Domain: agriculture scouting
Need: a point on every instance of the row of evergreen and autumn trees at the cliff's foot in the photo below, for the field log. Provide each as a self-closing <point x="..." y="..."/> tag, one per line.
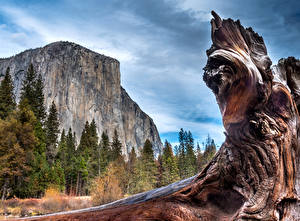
<point x="35" y="155"/>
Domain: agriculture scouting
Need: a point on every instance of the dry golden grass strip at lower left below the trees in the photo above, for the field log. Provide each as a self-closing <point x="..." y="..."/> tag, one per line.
<point x="52" y="202"/>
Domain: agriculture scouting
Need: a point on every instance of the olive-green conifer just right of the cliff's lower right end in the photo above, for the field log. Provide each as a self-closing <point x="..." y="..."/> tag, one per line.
<point x="170" y="169"/>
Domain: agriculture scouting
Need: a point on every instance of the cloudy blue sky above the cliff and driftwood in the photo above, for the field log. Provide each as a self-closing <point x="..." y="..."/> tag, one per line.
<point x="161" y="46"/>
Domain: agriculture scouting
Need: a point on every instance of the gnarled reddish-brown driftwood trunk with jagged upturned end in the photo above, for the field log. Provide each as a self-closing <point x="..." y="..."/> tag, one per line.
<point x="255" y="174"/>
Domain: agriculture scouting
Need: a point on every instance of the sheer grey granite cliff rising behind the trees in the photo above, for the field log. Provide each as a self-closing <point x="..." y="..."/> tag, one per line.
<point x="85" y="85"/>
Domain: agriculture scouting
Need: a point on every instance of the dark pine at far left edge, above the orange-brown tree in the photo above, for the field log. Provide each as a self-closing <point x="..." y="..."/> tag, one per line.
<point x="7" y="97"/>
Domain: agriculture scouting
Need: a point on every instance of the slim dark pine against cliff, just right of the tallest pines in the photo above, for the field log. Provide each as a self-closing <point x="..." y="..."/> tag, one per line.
<point x="52" y="131"/>
